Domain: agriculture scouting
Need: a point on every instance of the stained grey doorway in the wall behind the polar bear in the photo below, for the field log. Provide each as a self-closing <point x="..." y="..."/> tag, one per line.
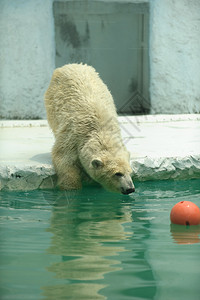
<point x="113" y="37"/>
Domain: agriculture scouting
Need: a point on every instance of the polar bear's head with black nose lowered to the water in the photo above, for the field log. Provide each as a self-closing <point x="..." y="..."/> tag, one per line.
<point x="113" y="173"/>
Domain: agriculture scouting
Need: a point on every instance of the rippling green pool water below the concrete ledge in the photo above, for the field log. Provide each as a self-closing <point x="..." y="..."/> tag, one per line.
<point x="93" y="244"/>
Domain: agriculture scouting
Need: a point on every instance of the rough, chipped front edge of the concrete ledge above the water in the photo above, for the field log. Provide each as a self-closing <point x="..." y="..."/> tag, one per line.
<point x="33" y="177"/>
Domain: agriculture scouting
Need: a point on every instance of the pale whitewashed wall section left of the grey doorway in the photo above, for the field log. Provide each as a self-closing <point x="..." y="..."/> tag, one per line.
<point x="26" y="56"/>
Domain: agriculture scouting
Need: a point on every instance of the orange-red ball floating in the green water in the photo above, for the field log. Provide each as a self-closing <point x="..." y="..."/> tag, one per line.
<point x="185" y="213"/>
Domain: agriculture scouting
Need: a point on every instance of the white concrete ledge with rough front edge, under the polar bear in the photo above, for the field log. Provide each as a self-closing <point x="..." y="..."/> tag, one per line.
<point x="161" y="147"/>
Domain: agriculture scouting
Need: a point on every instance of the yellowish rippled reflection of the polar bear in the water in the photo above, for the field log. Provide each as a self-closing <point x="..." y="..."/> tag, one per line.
<point x="84" y="235"/>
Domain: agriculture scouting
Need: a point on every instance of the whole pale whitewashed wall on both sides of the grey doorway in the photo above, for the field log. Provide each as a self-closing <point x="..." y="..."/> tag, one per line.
<point x="27" y="56"/>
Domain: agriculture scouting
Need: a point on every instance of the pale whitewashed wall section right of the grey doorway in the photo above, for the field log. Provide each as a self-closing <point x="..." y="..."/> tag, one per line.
<point x="175" y="56"/>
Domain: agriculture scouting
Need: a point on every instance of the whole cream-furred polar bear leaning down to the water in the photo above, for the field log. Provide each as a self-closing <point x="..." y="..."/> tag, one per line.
<point x="88" y="142"/>
